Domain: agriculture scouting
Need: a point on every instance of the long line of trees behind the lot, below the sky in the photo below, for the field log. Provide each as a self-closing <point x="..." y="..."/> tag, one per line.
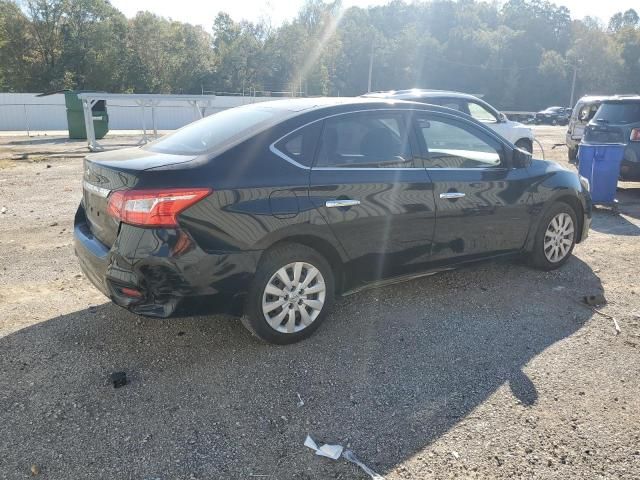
<point x="519" y="55"/>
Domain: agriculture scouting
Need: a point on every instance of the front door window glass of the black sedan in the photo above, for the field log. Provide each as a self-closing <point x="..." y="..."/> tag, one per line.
<point x="451" y="146"/>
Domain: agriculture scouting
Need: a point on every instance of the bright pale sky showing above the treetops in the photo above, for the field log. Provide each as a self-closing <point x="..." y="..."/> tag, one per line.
<point x="201" y="12"/>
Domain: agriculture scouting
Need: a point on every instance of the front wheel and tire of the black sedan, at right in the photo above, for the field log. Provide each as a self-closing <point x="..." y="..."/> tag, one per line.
<point x="555" y="237"/>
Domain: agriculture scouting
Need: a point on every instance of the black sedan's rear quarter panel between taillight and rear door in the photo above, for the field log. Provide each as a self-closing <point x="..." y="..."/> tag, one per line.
<point x="258" y="200"/>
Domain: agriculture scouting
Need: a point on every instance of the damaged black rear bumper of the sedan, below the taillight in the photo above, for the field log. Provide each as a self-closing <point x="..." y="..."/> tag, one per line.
<point x="152" y="272"/>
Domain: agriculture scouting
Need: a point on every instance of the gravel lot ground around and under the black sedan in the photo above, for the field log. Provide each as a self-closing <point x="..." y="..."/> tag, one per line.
<point x="492" y="371"/>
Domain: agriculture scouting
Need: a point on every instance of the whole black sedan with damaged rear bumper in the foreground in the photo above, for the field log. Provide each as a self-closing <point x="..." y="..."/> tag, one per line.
<point x="275" y="208"/>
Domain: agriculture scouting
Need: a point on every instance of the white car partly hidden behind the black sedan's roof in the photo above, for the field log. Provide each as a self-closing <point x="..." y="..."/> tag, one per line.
<point x="517" y="133"/>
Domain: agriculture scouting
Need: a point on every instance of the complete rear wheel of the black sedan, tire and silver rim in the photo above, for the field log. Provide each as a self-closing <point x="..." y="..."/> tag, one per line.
<point x="291" y="293"/>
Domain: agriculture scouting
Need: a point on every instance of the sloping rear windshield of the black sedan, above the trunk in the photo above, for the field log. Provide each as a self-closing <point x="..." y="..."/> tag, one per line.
<point x="216" y="131"/>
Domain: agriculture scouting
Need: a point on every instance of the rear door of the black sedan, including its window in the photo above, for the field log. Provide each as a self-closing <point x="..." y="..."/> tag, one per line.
<point x="367" y="186"/>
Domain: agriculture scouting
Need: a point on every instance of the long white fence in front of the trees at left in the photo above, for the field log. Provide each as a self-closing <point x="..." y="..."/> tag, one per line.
<point x="28" y="113"/>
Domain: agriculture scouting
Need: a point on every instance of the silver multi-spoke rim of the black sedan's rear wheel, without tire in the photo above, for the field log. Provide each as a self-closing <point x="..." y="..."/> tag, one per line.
<point x="293" y="297"/>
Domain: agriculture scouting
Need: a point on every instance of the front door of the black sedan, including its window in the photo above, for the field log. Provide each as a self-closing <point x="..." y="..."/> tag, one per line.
<point x="482" y="204"/>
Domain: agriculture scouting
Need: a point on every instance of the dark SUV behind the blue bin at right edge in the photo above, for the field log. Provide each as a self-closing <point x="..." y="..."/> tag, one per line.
<point x="618" y="121"/>
